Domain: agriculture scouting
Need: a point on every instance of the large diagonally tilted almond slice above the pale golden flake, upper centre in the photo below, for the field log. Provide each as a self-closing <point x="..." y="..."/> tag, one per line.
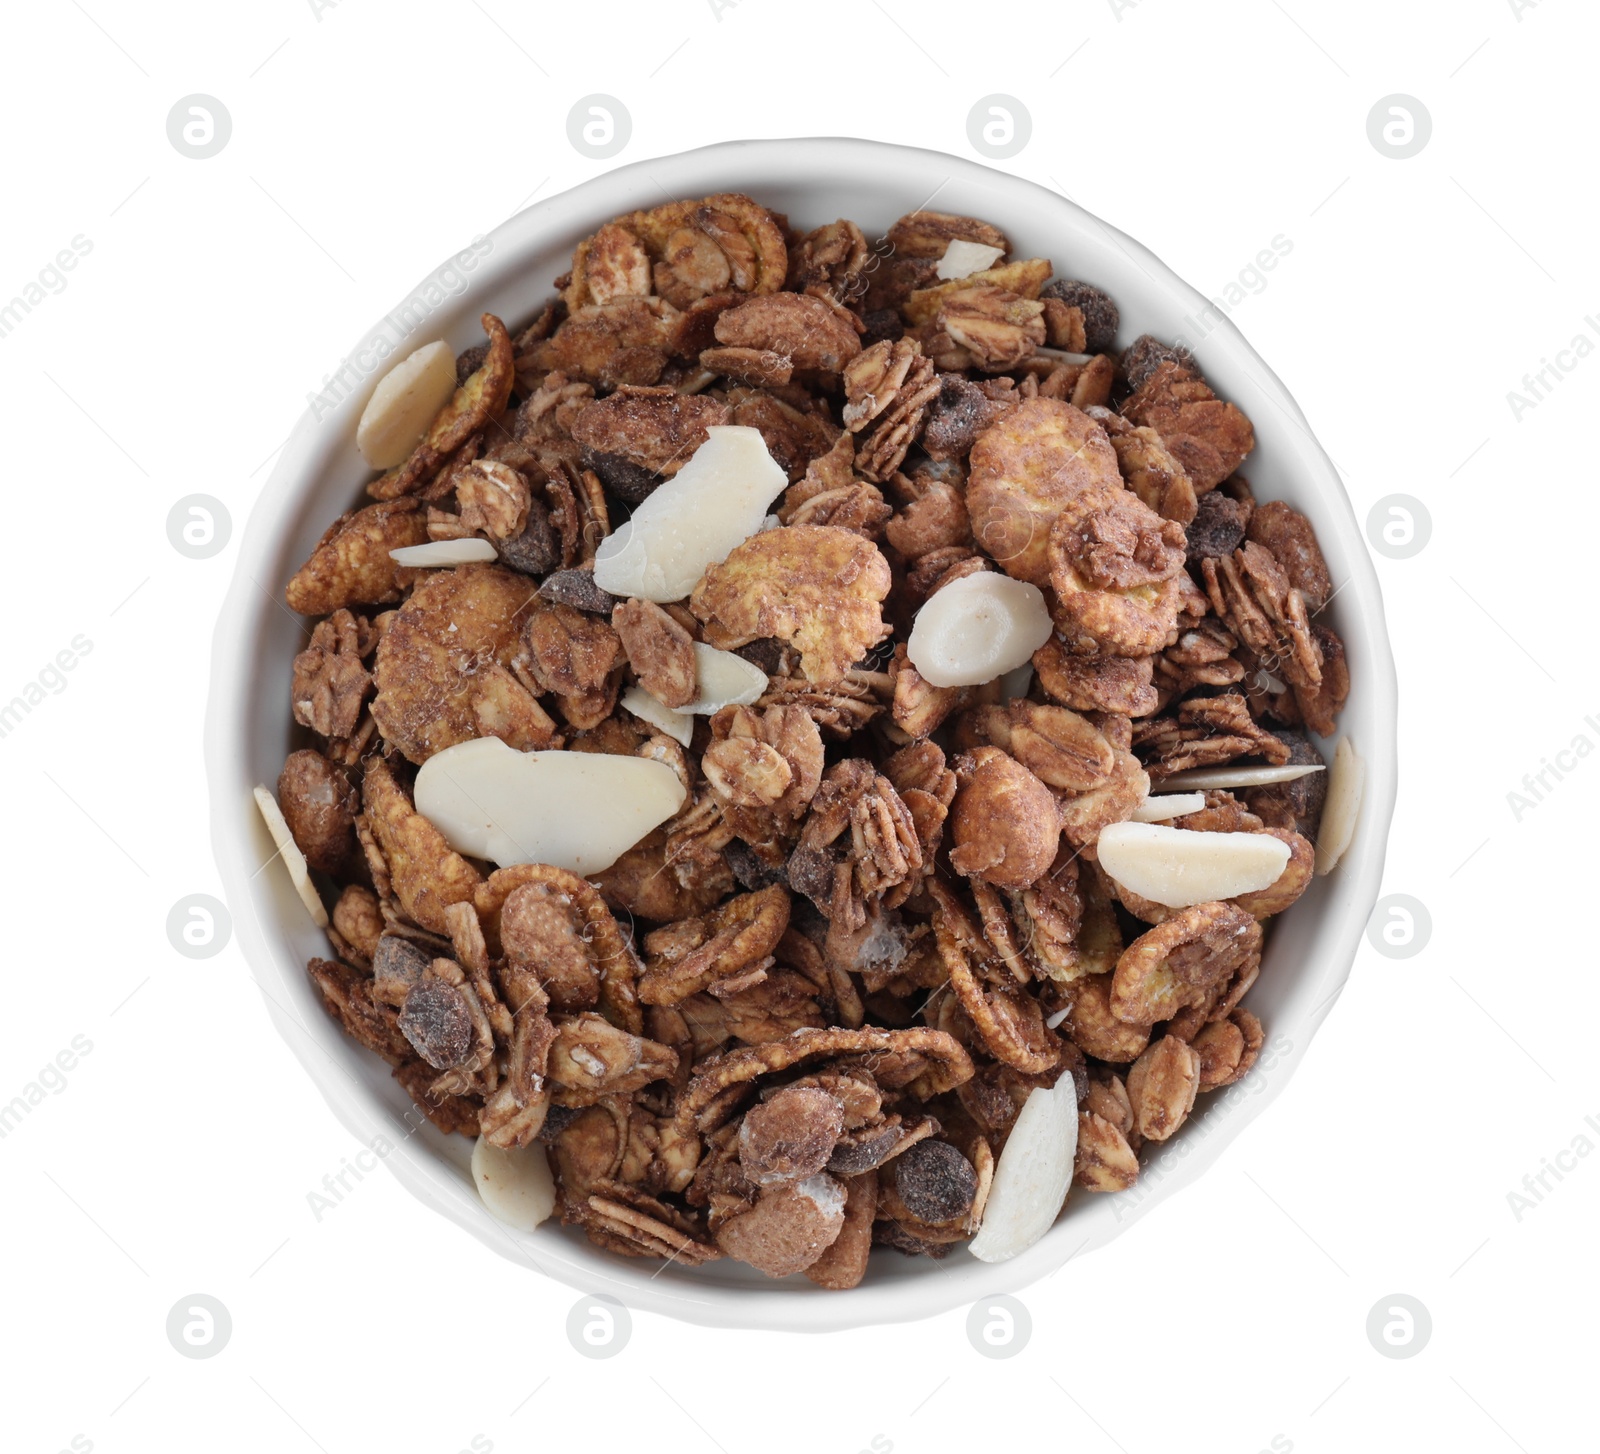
<point x="718" y="501"/>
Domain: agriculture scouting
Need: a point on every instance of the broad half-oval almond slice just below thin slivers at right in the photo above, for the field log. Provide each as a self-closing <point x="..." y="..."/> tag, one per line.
<point x="1178" y="868"/>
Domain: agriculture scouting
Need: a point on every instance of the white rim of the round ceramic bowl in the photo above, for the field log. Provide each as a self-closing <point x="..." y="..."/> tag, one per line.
<point x="414" y="1160"/>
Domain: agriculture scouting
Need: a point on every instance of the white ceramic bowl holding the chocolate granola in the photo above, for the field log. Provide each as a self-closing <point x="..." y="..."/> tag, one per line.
<point x="321" y="474"/>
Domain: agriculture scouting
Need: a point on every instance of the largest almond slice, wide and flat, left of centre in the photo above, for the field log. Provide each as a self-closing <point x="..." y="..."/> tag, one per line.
<point x="574" y="810"/>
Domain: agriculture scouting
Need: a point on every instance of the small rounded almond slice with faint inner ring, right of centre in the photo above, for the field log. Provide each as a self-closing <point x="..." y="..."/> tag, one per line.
<point x="977" y="629"/>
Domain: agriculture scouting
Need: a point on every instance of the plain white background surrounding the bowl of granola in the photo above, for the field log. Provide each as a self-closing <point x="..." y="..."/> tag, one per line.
<point x="374" y="140"/>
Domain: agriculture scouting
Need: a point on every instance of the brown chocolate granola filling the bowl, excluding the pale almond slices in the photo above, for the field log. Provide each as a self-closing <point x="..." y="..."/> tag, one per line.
<point x="802" y="1018"/>
